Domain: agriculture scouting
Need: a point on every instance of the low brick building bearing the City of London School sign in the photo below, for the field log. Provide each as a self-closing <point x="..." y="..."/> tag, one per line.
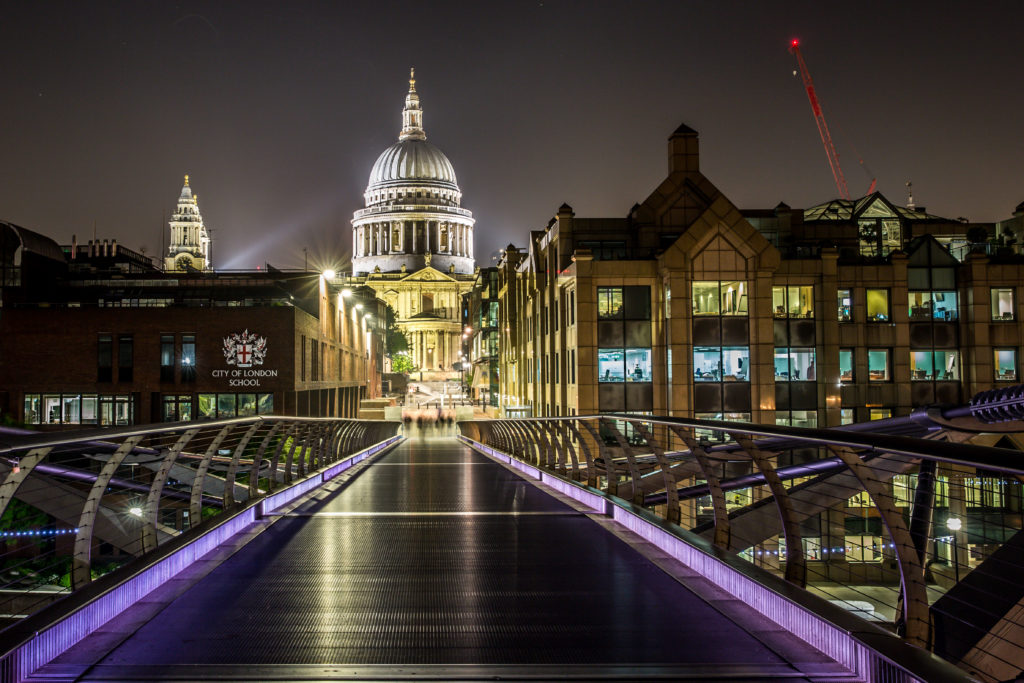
<point x="95" y="335"/>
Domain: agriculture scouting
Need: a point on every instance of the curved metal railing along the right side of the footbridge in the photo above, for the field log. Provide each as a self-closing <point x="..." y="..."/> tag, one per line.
<point x="920" y="535"/>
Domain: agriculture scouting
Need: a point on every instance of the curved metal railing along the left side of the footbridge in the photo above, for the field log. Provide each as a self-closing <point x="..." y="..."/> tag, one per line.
<point x="77" y="505"/>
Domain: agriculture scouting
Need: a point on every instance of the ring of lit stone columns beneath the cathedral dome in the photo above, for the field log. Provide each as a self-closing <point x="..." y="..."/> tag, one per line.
<point x="435" y="237"/>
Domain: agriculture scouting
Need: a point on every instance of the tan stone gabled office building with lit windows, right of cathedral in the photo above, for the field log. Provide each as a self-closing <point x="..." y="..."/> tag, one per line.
<point x="688" y="306"/>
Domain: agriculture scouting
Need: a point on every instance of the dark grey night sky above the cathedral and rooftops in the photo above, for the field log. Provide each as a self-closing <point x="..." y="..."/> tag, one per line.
<point x="278" y="111"/>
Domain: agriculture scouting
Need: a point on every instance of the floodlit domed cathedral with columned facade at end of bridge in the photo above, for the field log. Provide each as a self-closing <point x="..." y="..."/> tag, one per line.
<point x="413" y="243"/>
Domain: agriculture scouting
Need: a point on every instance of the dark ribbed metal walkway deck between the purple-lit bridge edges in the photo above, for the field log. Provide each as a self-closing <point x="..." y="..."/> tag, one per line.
<point x="438" y="564"/>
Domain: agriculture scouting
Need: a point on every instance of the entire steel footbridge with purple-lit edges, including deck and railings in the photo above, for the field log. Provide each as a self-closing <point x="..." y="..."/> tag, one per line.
<point x="613" y="547"/>
